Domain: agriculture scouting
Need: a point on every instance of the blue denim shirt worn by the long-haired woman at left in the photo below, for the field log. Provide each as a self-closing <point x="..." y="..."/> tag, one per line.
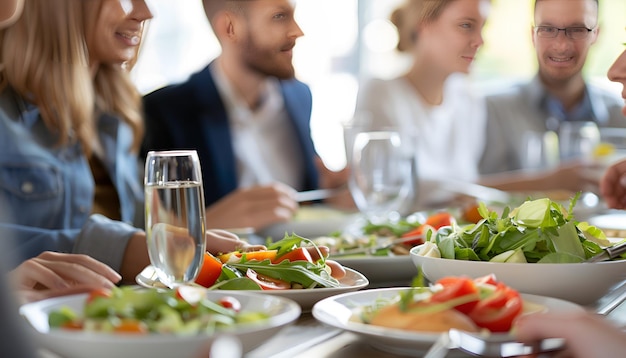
<point x="47" y="190"/>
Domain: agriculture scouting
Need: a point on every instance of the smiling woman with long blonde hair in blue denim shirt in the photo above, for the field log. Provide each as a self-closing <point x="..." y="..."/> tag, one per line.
<point x="68" y="110"/>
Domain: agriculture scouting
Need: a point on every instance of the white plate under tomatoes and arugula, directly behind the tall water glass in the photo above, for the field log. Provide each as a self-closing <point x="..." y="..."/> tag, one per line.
<point x="352" y="281"/>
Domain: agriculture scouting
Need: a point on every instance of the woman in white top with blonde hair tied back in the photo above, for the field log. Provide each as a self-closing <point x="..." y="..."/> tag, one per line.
<point x="433" y="101"/>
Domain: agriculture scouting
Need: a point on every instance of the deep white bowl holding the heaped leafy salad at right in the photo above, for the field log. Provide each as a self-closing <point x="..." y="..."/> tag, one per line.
<point x="582" y="283"/>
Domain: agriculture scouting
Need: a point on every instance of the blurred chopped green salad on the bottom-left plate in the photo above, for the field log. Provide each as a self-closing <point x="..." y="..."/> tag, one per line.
<point x="183" y="311"/>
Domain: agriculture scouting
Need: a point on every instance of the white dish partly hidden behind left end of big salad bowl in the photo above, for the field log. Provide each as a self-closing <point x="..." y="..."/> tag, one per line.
<point x="382" y="269"/>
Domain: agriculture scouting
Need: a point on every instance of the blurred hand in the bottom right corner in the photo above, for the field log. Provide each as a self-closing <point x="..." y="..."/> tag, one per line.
<point x="587" y="335"/>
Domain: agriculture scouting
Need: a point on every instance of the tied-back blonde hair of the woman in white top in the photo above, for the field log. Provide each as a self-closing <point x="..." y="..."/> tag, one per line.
<point x="413" y="13"/>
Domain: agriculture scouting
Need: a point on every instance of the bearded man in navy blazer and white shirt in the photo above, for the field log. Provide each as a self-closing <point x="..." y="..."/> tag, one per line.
<point x="247" y="116"/>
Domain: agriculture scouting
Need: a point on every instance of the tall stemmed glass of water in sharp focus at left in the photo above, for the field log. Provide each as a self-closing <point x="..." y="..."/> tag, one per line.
<point x="175" y="226"/>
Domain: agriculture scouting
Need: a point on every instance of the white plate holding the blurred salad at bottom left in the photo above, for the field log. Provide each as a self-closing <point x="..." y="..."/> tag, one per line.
<point x="78" y="344"/>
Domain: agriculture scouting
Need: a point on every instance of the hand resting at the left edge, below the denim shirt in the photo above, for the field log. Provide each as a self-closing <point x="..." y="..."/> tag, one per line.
<point x="53" y="274"/>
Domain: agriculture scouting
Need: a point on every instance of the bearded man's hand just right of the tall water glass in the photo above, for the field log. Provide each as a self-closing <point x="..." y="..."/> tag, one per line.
<point x="255" y="207"/>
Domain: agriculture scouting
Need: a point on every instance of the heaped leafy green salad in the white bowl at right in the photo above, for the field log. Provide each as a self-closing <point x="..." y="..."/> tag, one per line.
<point x="539" y="230"/>
